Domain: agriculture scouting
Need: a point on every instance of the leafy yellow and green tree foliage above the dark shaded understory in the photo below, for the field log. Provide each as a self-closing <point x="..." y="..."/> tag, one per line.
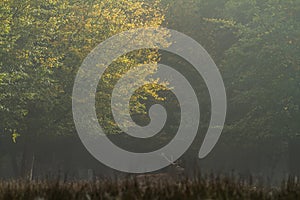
<point x="255" y="44"/>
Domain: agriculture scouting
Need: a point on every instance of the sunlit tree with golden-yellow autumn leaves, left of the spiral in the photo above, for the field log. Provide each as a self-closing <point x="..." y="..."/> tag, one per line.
<point x="42" y="45"/>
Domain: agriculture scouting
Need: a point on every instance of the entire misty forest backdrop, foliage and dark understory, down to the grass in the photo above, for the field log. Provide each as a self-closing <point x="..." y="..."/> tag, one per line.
<point x="255" y="44"/>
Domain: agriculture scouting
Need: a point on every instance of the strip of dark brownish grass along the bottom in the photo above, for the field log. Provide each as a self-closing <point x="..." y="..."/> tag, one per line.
<point x="147" y="188"/>
